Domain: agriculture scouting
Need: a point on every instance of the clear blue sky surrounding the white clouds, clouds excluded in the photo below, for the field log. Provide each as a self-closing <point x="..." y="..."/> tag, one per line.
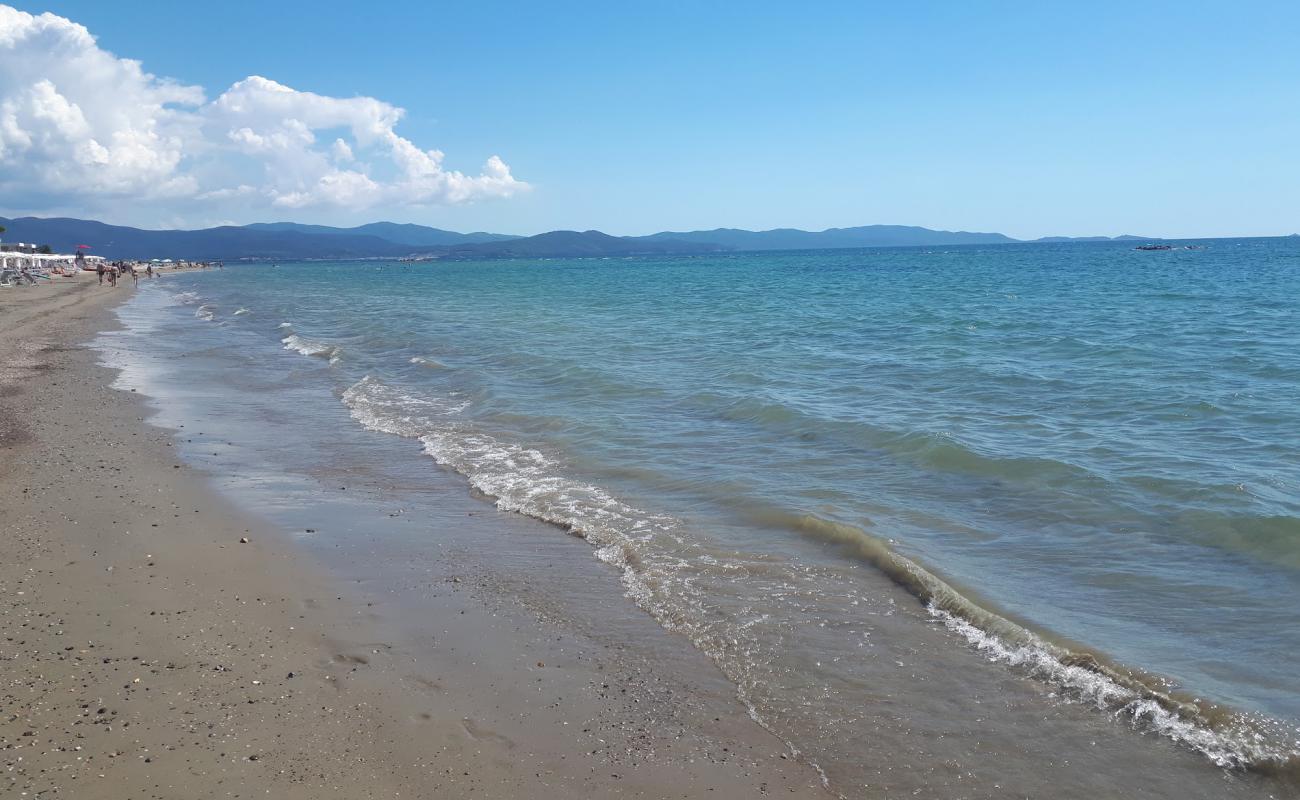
<point x="1033" y="119"/>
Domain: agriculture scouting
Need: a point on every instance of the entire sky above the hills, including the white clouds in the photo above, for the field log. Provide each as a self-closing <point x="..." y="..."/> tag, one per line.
<point x="1028" y="119"/>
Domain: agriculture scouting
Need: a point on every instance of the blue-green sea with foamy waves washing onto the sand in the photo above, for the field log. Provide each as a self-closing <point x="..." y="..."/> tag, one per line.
<point x="939" y="514"/>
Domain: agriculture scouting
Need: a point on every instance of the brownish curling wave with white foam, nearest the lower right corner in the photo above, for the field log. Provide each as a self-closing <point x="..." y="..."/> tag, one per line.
<point x="1228" y="738"/>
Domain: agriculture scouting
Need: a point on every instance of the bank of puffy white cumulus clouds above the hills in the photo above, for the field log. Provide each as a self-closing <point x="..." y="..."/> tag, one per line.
<point x="80" y="123"/>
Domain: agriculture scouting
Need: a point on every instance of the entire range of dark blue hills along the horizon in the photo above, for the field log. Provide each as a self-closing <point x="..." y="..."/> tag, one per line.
<point x="291" y="241"/>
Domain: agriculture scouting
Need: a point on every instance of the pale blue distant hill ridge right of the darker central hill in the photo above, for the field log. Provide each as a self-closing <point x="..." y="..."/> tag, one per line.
<point x="866" y="236"/>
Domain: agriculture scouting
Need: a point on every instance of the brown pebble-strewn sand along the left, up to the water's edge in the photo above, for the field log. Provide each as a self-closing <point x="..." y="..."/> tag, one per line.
<point x="148" y="652"/>
